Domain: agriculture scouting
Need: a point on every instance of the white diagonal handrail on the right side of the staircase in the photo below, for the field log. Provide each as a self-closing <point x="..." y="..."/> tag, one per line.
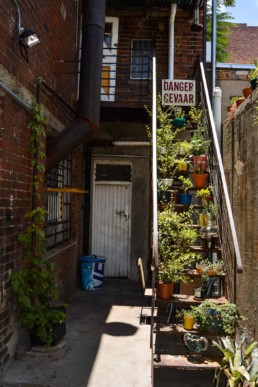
<point x="239" y="265"/>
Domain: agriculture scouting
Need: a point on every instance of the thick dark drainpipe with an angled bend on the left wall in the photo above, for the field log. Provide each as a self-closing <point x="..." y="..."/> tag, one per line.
<point x="87" y="121"/>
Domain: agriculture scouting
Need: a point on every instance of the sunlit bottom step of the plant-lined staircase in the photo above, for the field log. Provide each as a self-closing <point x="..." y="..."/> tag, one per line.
<point x="181" y="362"/>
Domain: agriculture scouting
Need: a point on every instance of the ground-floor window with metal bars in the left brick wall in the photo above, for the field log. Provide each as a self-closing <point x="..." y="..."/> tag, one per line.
<point x="58" y="203"/>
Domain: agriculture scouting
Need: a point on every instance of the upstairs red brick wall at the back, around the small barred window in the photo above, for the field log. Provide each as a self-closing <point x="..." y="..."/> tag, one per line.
<point x="188" y="44"/>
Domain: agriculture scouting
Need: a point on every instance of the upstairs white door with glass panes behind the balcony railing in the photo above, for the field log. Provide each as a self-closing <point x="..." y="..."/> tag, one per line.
<point x="108" y="84"/>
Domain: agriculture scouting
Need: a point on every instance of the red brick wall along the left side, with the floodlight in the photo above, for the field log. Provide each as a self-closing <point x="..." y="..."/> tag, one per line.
<point x="58" y="42"/>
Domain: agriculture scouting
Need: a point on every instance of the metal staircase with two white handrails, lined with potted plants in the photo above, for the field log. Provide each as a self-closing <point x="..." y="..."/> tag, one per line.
<point x="169" y="351"/>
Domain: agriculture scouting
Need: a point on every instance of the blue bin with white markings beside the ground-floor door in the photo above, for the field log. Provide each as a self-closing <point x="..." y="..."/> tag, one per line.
<point x="92" y="272"/>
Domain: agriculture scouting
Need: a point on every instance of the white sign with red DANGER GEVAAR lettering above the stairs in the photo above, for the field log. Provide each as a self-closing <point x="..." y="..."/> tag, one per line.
<point x="178" y="92"/>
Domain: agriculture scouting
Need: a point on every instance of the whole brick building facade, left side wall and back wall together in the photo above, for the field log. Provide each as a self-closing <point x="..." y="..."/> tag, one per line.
<point x="55" y="60"/>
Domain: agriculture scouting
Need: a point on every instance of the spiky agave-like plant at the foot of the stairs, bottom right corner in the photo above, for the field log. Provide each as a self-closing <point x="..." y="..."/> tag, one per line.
<point x="239" y="363"/>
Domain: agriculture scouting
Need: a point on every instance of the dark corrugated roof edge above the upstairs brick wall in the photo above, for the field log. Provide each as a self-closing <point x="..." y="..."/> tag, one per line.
<point x="152" y="3"/>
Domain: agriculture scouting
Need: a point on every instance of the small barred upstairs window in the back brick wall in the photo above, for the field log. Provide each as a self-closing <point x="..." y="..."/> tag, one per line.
<point x="141" y="59"/>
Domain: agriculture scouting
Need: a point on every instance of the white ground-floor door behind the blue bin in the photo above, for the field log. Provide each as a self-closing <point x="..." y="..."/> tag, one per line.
<point x="111" y="225"/>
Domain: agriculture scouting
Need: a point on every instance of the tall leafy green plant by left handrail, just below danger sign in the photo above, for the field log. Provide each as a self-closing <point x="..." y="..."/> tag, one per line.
<point x="167" y="148"/>
